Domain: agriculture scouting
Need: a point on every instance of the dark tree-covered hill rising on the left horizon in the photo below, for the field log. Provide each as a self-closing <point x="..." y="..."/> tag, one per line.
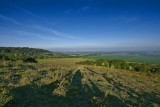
<point x="20" y="53"/>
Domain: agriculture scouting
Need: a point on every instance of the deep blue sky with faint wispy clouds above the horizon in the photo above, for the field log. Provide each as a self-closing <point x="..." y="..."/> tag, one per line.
<point x="80" y="24"/>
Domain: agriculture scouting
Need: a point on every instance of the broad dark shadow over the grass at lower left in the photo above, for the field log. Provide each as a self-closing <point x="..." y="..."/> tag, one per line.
<point x="32" y="95"/>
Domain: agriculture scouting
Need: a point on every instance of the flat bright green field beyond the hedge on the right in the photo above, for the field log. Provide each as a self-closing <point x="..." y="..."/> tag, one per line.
<point x="141" y="58"/>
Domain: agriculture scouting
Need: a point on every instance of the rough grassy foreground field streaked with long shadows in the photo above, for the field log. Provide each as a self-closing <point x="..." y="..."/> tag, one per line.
<point x="62" y="83"/>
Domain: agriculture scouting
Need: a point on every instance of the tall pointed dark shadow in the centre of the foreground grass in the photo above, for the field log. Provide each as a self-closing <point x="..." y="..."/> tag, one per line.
<point x="77" y="93"/>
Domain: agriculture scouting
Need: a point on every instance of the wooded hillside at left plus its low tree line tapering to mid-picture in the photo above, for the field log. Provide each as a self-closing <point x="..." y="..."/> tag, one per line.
<point x="22" y="53"/>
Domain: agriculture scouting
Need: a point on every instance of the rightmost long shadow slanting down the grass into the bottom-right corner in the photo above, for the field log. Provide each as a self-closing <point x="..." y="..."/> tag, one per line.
<point x="144" y="99"/>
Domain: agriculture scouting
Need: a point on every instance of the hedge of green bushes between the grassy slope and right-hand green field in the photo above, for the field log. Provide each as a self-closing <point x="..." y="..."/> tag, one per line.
<point x="121" y="64"/>
